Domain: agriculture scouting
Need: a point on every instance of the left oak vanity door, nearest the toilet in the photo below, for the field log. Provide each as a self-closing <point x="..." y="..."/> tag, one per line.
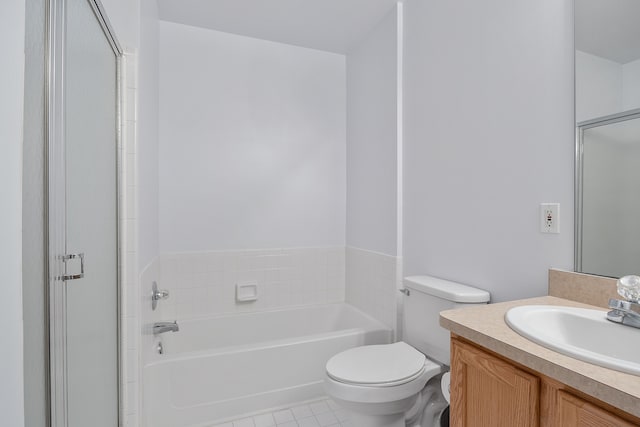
<point x="489" y="392"/>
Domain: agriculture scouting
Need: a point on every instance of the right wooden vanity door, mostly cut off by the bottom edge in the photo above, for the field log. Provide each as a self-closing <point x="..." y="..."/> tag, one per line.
<point x="575" y="412"/>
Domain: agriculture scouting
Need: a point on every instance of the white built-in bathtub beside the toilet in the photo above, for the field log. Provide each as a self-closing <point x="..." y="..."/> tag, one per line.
<point x="217" y="368"/>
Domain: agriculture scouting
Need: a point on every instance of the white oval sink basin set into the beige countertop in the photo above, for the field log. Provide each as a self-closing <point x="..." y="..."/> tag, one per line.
<point x="580" y="333"/>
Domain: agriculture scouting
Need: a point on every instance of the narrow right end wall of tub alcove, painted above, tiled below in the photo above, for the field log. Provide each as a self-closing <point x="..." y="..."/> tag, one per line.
<point x="372" y="172"/>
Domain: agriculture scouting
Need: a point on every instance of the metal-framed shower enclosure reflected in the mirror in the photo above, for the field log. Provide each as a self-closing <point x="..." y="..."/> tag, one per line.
<point x="607" y="196"/>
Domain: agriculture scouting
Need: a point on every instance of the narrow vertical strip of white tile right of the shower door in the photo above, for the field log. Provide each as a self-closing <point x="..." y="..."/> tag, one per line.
<point x="129" y="314"/>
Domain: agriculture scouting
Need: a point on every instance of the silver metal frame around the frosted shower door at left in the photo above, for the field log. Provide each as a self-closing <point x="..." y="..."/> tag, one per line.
<point x="55" y="209"/>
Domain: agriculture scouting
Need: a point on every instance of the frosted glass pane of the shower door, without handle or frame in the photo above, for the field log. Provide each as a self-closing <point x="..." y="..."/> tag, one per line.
<point x="91" y="223"/>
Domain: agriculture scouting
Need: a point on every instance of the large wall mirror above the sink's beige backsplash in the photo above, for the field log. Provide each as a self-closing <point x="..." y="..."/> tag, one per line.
<point x="607" y="41"/>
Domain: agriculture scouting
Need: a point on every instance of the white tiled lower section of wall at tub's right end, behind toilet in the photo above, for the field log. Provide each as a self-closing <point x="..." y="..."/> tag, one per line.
<point x="372" y="281"/>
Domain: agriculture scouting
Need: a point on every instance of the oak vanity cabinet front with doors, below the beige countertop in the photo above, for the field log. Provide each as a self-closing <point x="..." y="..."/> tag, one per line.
<point x="490" y="391"/>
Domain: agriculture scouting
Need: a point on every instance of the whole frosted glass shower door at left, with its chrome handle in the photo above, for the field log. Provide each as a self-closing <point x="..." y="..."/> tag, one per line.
<point x="85" y="368"/>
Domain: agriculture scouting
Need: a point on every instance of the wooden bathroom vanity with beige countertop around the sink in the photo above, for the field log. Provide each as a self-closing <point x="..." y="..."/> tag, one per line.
<point x="499" y="378"/>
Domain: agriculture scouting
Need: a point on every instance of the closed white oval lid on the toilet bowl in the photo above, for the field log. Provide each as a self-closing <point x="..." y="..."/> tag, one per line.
<point x="389" y="364"/>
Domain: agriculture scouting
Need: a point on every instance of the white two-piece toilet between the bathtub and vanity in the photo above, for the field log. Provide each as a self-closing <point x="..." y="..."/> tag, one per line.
<point x="404" y="383"/>
